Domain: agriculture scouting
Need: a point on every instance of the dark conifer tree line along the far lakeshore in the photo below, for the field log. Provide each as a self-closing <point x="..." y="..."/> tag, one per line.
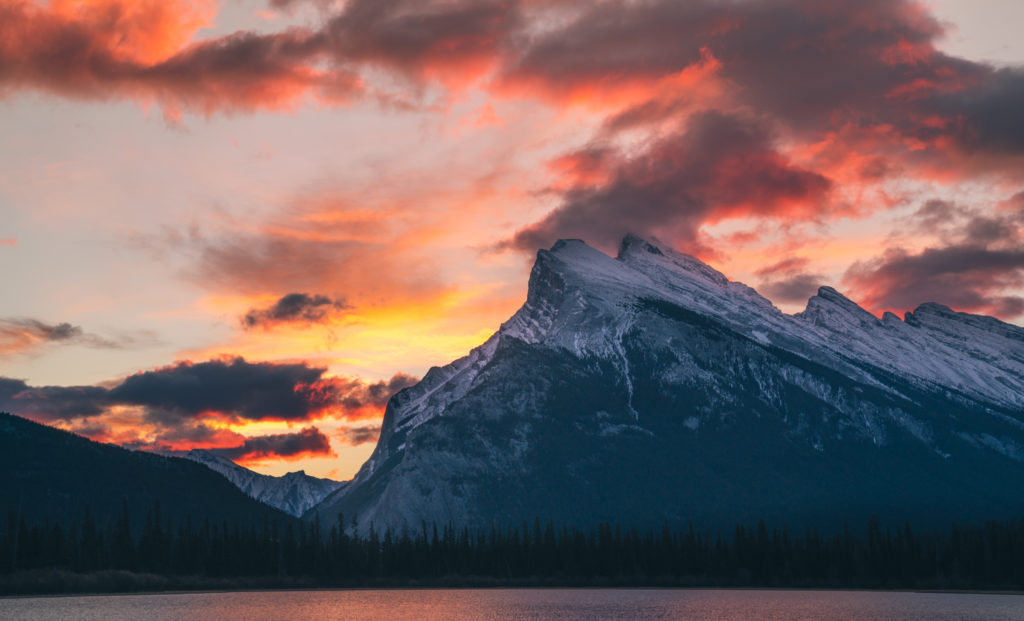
<point x="988" y="557"/>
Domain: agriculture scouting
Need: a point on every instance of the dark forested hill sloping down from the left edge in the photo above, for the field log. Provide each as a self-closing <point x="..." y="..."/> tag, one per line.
<point x="52" y="476"/>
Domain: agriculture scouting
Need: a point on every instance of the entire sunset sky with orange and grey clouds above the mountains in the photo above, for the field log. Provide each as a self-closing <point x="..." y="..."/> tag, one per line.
<point x="244" y="225"/>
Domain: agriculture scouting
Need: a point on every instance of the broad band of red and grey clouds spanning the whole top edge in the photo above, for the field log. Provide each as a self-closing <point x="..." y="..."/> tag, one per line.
<point x="642" y="63"/>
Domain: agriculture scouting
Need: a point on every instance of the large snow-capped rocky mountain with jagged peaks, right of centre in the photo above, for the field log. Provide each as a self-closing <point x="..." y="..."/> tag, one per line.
<point x="649" y="388"/>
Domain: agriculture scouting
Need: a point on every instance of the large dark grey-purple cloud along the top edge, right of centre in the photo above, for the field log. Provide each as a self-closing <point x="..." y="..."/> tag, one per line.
<point x="792" y="58"/>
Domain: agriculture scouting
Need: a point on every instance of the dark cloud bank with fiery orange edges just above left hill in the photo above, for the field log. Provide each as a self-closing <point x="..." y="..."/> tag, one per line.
<point x="198" y="405"/>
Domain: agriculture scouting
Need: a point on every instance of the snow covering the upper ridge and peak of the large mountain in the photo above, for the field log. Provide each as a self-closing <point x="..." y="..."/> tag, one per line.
<point x="979" y="356"/>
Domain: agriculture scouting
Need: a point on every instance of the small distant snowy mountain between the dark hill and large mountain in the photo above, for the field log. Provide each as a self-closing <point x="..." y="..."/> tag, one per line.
<point x="294" y="493"/>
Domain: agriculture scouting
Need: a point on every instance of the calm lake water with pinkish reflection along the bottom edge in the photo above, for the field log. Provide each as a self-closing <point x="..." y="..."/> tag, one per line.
<point x="502" y="605"/>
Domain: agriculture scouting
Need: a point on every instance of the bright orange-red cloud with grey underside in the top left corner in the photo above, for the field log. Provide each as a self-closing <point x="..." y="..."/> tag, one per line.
<point x="112" y="49"/>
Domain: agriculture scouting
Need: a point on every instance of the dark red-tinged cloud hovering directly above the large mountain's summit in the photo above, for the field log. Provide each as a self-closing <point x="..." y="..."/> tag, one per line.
<point x="717" y="167"/>
